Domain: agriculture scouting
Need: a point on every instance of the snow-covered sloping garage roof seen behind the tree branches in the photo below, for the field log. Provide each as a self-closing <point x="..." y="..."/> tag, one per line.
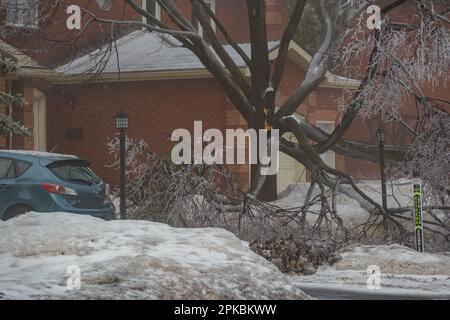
<point x="144" y="55"/>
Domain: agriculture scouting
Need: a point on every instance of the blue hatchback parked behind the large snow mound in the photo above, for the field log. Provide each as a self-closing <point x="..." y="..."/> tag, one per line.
<point x="49" y="182"/>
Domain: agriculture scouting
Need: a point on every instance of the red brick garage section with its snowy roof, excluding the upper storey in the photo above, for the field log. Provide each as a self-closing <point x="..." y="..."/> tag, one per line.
<point x="167" y="90"/>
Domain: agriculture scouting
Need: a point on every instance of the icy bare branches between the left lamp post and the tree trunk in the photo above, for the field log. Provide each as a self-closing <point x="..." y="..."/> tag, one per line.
<point x="180" y="195"/>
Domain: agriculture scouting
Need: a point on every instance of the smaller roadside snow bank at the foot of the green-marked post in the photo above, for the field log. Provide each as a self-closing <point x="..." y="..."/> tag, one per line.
<point x="402" y="271"/>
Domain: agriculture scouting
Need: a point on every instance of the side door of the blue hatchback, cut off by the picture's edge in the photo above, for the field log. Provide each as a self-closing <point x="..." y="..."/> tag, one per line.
<point x="7" y="182"/>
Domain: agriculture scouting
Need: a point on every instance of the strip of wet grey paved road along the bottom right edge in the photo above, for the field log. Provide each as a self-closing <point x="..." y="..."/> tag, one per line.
<point x="329" y="294"/>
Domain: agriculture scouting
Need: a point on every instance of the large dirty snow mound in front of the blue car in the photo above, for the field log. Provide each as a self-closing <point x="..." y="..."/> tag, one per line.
<point x="130" y="260"/>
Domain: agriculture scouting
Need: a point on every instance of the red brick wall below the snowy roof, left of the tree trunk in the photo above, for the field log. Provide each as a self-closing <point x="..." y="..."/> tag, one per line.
<point x="155" y="108"/>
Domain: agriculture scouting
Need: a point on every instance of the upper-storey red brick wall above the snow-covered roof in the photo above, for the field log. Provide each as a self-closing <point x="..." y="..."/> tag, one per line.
<point x="232" y="13"/>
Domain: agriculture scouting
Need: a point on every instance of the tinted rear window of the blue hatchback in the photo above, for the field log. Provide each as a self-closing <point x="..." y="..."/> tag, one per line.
<point x="76" y="171"/>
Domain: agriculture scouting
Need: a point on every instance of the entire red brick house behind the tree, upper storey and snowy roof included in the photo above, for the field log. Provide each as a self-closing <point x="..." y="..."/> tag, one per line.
<point x="162" y="87"/>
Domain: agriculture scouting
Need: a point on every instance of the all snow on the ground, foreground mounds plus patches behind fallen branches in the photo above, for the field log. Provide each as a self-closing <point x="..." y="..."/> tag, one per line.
<point x="145" y="260"/>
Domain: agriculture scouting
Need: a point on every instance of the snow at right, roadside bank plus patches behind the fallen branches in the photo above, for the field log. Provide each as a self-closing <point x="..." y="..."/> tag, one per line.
<point x="403" y="270"/>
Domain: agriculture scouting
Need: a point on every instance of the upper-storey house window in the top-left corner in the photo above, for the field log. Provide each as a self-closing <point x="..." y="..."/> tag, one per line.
<point x="23" y="13"/>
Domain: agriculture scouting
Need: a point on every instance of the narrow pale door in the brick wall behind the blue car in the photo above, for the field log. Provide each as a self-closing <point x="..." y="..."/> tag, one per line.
<point x="39" y="129"/>
